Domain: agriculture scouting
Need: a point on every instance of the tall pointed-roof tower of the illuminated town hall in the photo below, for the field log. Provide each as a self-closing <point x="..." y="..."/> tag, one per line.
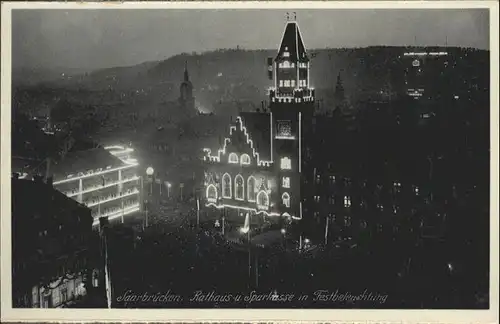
<point x="292" y="107"/>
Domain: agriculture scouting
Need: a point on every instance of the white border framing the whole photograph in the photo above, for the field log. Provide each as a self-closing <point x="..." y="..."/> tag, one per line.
<point x="191" y="315"/>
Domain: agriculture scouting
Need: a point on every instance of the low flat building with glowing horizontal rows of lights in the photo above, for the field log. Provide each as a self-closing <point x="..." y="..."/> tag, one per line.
<point x="103" y="179"/>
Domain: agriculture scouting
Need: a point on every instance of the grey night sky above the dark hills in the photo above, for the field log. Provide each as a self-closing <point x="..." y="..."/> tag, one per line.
<point x="91" y="39"/>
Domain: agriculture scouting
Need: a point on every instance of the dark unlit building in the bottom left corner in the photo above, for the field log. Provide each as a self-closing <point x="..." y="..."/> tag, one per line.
<point x="54" y="250"/>
